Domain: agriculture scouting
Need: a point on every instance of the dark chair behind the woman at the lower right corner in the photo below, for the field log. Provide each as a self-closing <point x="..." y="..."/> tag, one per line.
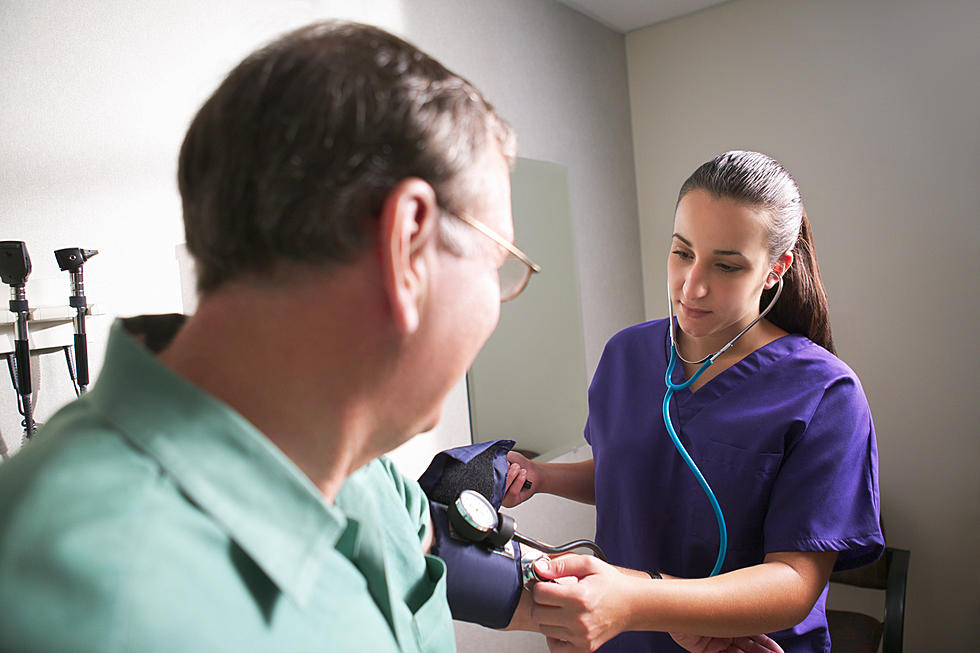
<point x="855" y="632"/>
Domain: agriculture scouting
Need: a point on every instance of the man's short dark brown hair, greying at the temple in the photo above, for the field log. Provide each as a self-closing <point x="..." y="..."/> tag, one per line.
<point x="292" y="156"/>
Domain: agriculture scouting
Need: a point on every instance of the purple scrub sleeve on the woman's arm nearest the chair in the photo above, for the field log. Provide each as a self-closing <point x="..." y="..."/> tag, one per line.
<point x="826" y="494"/>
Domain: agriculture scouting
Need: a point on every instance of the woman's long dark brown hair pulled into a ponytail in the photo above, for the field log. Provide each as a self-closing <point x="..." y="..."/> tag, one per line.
<point x="761" y="182"/>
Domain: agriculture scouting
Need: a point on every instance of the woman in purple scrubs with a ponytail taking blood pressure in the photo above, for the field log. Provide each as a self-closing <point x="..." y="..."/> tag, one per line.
<point x="778" y="425"/>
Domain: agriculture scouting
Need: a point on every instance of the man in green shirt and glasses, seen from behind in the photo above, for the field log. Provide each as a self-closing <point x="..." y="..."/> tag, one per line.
<point x="220" y="488"/>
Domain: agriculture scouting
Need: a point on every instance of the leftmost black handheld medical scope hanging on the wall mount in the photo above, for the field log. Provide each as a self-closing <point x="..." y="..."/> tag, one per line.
<point x="15" y="267"/>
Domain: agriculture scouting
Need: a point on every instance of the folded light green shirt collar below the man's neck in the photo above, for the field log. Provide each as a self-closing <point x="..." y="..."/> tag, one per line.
<point x="221" y="462"/>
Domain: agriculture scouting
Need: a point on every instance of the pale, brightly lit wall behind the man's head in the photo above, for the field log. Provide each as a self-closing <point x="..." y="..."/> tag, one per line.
<point x="97" y="95"/>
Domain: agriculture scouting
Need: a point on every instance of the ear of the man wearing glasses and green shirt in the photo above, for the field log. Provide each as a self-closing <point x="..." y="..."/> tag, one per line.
<point x="408" y="229"/>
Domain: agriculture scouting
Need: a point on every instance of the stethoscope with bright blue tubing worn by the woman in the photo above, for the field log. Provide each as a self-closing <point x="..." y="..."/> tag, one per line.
<point x="672" y="387"/>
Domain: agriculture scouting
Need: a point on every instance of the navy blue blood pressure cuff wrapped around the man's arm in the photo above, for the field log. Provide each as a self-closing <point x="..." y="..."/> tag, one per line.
<point x="483" y="586"/>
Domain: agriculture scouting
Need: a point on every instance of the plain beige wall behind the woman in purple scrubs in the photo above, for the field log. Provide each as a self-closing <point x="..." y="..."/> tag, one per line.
<point x="875" y="107"/>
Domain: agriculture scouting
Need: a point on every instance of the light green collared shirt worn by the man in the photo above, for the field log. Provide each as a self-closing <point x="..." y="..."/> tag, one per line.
<point x="149" y="516"/>
